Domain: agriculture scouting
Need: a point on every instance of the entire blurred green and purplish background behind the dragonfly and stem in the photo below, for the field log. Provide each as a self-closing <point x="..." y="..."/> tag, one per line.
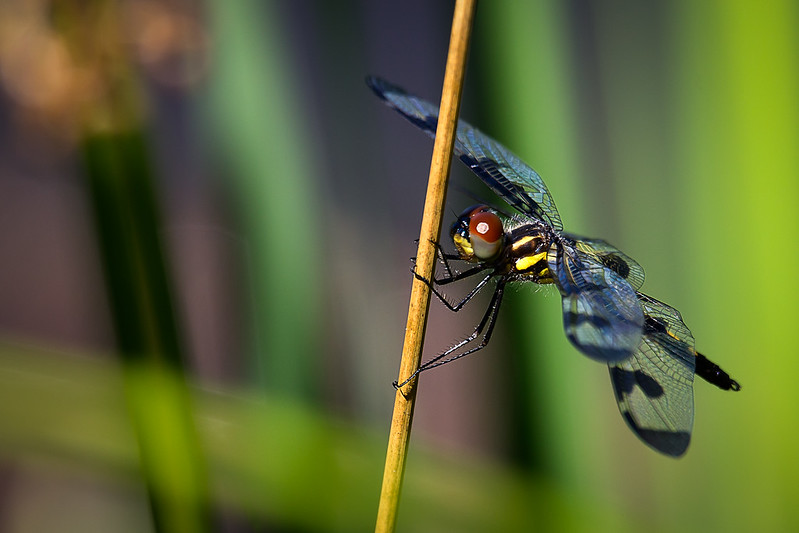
<point x="206" y="224"/>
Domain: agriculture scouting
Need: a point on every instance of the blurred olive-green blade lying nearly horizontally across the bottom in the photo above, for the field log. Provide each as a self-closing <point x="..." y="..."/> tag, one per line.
<point x="277" y="462"/>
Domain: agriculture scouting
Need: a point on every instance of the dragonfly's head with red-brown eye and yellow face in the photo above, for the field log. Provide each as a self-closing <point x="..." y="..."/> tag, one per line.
<point x="478" y="234"/>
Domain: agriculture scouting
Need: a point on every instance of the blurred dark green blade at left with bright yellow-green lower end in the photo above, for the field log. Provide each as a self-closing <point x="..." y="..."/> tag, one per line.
<point x="127" y="222"/>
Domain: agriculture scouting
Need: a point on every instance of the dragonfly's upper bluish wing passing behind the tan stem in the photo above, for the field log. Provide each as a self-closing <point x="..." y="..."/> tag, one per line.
<point x="498" y="167"/>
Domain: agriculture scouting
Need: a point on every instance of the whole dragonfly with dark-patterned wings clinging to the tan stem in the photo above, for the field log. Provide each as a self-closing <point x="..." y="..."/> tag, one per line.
<point x="649" y="350"/>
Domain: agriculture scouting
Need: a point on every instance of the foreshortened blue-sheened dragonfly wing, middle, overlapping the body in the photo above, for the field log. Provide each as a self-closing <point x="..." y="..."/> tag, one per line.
<point x="601" y="313"/>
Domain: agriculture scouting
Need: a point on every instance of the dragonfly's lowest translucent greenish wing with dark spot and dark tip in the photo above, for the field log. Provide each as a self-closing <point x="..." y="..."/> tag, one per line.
<point x="654" y="388"/>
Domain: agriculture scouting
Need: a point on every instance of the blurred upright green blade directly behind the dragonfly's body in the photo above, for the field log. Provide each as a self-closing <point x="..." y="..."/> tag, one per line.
<point x="530" y="95"/>
